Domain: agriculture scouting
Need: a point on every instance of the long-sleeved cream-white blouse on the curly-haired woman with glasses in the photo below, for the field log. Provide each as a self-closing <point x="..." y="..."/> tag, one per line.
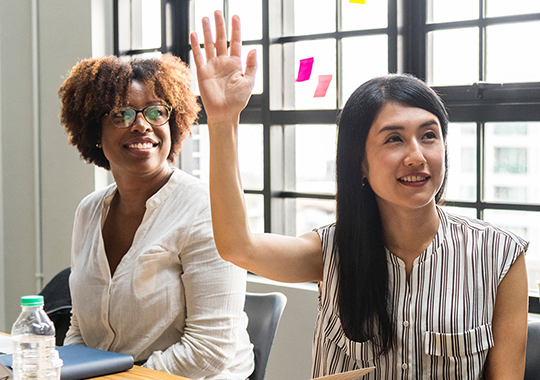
<point x="172" y="299"/>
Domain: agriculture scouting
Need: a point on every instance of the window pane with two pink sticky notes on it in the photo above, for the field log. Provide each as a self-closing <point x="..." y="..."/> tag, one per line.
<point x="301" y="95"/>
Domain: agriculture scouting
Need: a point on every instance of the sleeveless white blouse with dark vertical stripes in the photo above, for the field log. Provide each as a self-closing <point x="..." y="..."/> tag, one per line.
<point x="442" y="317"/>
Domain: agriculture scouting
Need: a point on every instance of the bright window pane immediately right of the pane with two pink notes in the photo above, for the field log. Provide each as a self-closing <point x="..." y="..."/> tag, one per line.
<point x="356" y="69"/>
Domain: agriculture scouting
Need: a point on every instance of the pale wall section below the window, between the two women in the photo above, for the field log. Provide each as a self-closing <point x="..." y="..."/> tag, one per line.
<point x="290" y="357"/>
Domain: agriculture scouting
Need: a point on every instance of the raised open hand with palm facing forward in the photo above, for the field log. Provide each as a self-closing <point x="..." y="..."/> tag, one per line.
<point x="225" y="89"/>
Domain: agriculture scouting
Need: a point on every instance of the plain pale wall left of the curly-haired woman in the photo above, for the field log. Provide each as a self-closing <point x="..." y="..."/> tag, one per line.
<point x="42" y="178"/>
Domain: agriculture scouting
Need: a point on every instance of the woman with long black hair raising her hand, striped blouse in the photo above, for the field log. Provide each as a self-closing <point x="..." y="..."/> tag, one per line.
<point x="403" y="285"/>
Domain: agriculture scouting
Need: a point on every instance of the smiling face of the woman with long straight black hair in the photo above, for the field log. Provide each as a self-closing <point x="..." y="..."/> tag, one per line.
<point x="404" y="158"/>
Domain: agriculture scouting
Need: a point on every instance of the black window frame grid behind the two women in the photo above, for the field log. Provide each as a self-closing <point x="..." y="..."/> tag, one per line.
<point x="407" y="30"/>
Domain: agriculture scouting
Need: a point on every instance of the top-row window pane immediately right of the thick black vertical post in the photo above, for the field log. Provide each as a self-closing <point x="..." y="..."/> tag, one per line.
<point x="455" y="10"/>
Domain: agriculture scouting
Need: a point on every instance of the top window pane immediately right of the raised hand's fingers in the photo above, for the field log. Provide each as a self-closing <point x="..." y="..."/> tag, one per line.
<point x="250" y="13"/>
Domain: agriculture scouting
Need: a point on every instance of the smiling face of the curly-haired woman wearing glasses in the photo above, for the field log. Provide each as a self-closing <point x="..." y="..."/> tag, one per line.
<point x="142" y="148"/>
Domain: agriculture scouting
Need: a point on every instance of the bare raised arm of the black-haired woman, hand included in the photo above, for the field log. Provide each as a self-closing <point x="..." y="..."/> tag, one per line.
<point x="225" y="90"/>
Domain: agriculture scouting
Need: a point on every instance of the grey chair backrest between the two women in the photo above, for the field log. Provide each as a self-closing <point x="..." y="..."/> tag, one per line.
<point x="264" y="312"/>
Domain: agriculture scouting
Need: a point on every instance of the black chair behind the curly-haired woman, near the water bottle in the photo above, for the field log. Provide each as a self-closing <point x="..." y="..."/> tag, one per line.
<point x="58" y="303"/>
